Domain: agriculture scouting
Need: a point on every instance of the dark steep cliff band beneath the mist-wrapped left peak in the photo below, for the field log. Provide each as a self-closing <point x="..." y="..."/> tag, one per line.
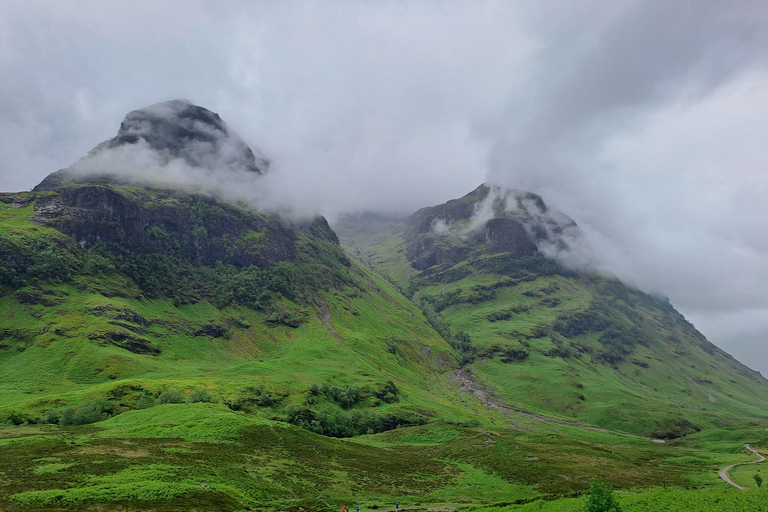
<point x="196" y="226"/>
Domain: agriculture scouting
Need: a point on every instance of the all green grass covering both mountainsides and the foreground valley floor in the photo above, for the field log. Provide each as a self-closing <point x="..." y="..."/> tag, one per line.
<point x="356" y="329"/>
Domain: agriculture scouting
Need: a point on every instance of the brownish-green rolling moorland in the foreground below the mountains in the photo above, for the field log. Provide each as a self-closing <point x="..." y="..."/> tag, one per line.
<point x="207" y="457"/>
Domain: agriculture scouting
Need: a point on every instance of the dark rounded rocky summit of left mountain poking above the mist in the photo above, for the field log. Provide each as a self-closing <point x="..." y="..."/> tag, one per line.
<point x="179" y="129"/>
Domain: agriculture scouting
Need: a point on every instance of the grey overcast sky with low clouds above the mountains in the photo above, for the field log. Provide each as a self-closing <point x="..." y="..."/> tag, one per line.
<point x="646" y="122"/>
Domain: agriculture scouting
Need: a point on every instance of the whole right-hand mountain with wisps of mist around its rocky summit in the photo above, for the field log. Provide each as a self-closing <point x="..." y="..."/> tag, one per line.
<point x="511" y="284"/>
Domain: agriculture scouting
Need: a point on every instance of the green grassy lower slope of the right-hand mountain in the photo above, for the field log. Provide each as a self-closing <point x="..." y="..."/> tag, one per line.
<point x="666" y="383"/>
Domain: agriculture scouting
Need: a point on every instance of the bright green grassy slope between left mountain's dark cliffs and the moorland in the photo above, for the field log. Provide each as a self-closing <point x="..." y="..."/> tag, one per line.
<point x="54" y="353"/>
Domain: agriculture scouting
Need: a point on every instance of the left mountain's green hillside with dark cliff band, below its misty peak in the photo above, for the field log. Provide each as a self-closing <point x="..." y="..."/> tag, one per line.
<point x="125" y="321"/>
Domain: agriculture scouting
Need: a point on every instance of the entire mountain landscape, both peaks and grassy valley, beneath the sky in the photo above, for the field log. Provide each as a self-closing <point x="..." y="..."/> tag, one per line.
<point x="164" y="347"/>
